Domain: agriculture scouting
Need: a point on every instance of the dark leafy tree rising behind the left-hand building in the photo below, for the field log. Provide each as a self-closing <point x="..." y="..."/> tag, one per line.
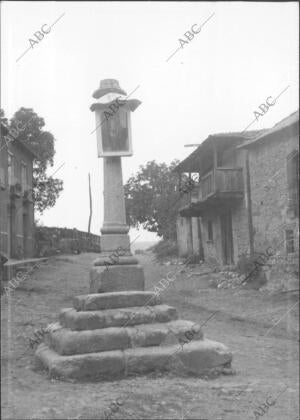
<point x="45" y="188"/>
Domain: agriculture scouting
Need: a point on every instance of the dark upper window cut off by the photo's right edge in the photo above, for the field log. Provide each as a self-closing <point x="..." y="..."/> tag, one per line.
<point x="293" y="181"/>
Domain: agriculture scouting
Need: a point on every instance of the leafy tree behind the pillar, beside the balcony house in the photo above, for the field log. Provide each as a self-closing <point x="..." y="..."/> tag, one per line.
<point x="152" y="199"/>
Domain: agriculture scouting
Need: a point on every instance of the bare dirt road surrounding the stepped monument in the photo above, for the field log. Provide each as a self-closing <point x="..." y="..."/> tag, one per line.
<point x="265" y="352"/>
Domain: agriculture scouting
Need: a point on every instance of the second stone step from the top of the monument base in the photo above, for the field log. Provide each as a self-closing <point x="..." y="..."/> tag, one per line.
<point x="91" y="320"/>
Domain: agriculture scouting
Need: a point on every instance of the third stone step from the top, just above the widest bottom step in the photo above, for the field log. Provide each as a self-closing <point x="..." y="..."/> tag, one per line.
<point x="67" y="342"/>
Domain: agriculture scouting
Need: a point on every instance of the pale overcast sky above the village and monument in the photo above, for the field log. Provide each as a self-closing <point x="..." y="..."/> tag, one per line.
<point x="245" y="53"/>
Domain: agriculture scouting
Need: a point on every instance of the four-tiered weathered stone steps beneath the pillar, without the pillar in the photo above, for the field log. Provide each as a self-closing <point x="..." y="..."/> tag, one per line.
<point x="118" y="334"/>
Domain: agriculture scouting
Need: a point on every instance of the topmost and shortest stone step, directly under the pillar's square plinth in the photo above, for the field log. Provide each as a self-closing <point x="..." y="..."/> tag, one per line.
<point x="98" y="301"/>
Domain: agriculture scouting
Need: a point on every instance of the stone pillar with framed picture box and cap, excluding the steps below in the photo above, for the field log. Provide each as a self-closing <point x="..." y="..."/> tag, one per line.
<point x="116" y="269"/>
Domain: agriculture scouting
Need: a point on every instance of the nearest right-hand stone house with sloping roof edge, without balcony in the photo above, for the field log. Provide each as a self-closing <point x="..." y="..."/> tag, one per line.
<point x="274" y="185"/>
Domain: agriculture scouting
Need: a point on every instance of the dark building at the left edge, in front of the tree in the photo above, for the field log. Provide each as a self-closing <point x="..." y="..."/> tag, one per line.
<point x="16" y="204"/>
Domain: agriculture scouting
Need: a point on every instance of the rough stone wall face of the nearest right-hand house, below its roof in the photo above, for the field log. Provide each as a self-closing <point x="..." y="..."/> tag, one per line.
<point x="269" y="191"/>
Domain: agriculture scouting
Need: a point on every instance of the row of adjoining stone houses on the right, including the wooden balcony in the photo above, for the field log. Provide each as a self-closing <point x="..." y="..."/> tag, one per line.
<point x="245" y="195"/>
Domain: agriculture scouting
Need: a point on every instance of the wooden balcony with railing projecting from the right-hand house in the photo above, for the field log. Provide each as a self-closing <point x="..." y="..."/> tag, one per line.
<point x="217" y="187"/>
